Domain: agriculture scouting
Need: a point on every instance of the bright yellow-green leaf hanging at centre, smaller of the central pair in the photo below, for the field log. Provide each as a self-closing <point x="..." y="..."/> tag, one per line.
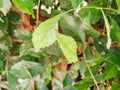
<point x="68" y="47"/>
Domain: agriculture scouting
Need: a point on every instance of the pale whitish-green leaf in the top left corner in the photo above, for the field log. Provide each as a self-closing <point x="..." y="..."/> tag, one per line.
<point x="6" y="6"/>
